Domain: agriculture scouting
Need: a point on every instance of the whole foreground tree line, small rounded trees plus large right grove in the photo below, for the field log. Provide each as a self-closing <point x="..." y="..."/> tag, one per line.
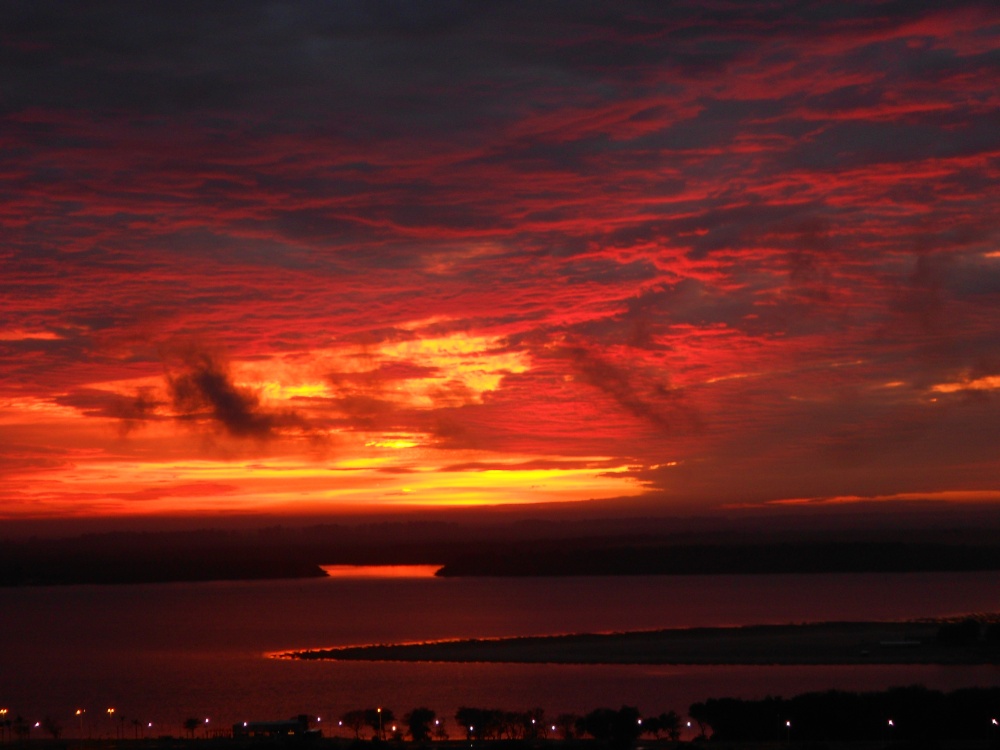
<point x="899" y="714"/>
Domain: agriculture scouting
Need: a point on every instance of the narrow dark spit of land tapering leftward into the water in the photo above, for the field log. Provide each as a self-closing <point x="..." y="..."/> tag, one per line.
<point x="916" y="642"/>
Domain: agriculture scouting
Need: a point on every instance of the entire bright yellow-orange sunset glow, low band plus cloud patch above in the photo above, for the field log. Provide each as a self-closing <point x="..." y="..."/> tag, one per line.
<point x="176" y="465"/>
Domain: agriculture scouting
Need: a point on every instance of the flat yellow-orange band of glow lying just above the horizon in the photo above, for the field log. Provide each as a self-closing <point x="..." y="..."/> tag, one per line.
<point x="288" y="484"/>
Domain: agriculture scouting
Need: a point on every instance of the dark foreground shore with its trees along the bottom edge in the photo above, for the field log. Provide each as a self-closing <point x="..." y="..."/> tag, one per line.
<point x="900" y="718"/>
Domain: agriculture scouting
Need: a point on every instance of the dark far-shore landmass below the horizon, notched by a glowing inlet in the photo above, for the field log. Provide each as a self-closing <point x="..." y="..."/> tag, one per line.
<point x="513" y="549"/>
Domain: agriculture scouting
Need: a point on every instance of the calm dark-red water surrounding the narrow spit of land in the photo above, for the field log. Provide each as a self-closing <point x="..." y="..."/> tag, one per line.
<point x="161" y="653"/>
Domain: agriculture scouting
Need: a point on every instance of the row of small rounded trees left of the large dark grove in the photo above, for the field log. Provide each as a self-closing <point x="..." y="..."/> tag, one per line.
<point x="620" y="727"/>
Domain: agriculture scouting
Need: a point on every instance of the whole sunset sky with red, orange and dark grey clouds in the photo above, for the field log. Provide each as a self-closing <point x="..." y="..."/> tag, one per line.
<point x="321" y="258"/>
